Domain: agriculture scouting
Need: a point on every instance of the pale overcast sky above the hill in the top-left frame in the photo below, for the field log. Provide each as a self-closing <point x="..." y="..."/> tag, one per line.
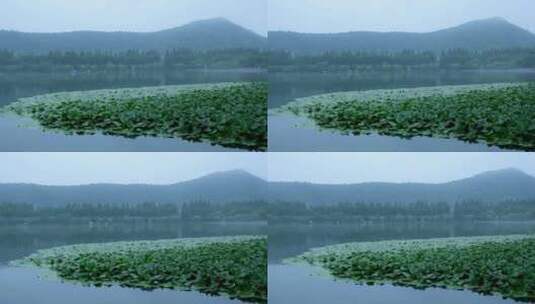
<point x="126" y="15"/>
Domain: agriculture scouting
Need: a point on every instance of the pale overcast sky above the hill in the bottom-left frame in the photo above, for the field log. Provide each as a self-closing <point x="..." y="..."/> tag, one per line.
<point x="153" y="168"/>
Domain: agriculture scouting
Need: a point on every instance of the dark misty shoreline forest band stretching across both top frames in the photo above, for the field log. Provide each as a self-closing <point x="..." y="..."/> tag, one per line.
<point x="277" y="60"/>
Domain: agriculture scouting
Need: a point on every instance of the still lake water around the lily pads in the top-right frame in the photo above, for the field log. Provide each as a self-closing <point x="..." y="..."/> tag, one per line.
<point x="287" y="133"/>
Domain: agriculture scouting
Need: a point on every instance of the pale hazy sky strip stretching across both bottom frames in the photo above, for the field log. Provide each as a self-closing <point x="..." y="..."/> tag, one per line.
<point x="320" y="168"/>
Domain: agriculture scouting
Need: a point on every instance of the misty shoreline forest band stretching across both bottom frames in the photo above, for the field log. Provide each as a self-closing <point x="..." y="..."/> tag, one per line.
<point x="282" y="211"/>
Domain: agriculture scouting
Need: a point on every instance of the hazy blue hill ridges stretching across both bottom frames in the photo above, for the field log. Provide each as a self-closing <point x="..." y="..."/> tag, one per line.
<point x="242" y="186"/>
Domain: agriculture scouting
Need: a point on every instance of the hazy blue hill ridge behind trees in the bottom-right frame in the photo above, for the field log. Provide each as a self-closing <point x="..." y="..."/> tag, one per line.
<point x="488" y="187"/>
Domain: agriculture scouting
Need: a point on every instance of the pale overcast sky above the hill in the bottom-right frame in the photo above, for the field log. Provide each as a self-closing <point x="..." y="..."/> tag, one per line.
<point x="390" y="167"/>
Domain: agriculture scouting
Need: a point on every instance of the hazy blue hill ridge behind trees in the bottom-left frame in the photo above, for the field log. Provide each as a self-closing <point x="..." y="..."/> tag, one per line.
<point x="218" y="188"/>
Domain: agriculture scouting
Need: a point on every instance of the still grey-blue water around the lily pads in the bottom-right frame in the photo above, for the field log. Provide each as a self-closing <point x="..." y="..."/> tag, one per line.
<point x="303" y="284"/>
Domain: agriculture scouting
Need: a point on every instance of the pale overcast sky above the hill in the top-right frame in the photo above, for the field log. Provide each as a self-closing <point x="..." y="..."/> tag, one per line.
<point x="319" y="16"/>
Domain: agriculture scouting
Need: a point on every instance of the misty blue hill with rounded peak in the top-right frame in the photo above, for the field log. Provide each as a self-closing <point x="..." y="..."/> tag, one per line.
<point x="493" y="33"/>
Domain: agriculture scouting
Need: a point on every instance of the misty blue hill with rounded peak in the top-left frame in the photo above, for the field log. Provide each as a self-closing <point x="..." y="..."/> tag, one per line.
<point x="209" y="34"/>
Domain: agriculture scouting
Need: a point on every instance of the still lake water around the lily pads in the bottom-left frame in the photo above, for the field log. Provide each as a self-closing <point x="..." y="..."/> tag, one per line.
<point x="25" y="286"/>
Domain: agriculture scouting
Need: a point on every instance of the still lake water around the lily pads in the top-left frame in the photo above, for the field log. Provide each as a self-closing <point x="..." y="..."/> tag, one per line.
<point x="17" y="137"/>
